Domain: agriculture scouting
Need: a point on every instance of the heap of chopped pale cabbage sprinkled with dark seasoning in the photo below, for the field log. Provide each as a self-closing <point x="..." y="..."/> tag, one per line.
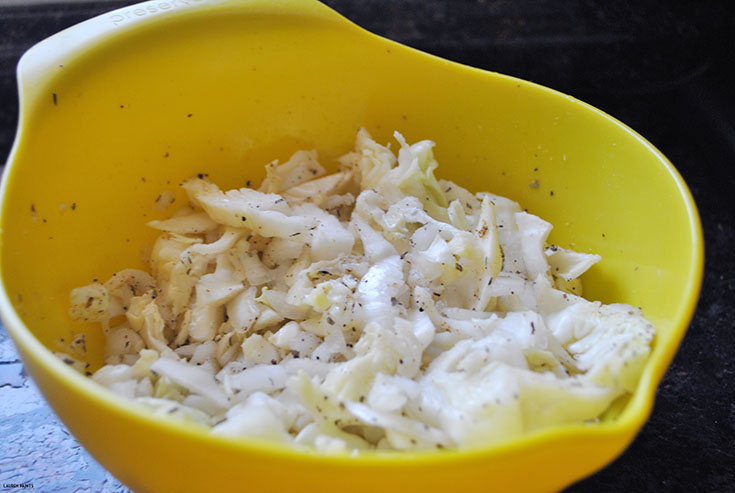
<point x="375" y="307"/>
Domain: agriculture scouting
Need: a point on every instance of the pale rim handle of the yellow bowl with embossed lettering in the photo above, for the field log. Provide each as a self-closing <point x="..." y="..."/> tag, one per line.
<point x="44" y="60"/>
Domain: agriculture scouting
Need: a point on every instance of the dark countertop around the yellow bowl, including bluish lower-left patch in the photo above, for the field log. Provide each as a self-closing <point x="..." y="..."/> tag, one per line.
<point x="666" y="69"/>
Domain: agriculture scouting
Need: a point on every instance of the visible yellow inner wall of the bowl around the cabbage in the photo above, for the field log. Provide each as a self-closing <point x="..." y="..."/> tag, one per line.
<point x="225" y="92"/>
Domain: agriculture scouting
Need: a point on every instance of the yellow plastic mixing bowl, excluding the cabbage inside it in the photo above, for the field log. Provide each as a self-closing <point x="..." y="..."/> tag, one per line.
<point x="123" y="106"/>
